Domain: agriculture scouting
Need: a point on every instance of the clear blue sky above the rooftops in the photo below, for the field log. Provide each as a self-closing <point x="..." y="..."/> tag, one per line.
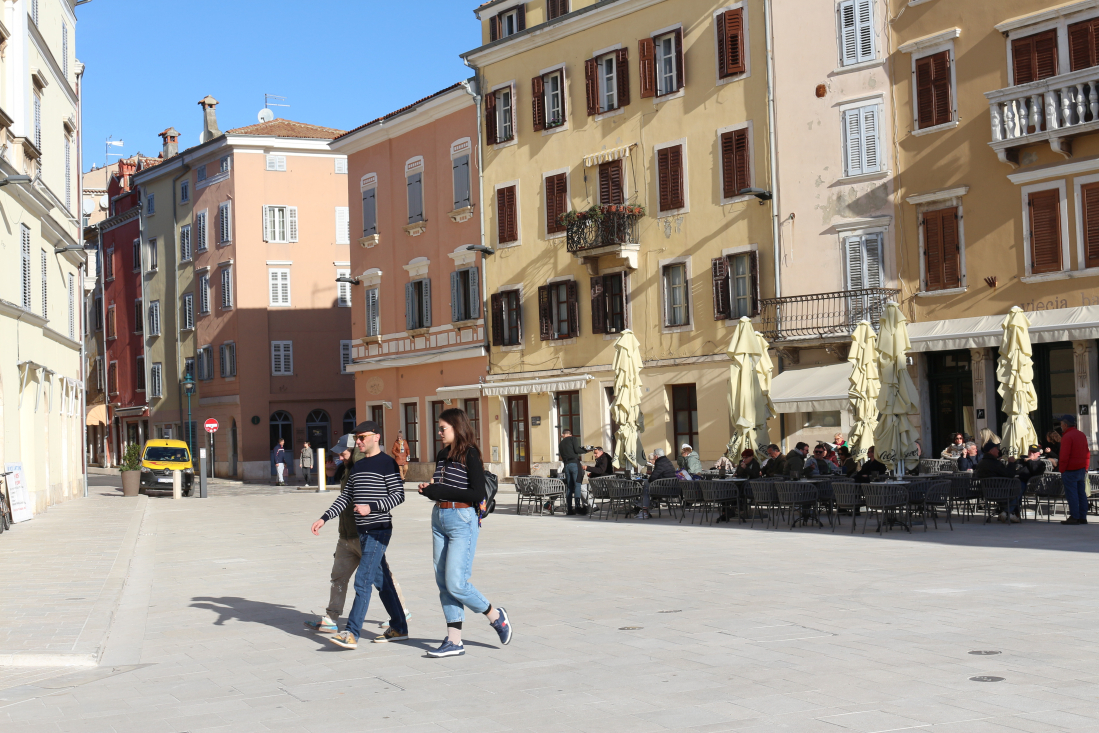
<point x="340" y="63"/>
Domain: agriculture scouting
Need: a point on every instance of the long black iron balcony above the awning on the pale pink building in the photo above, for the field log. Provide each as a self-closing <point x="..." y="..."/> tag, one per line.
<point x="823" y="315"/>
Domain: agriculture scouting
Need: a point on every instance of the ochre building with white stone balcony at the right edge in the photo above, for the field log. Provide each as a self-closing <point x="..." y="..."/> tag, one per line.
<point x="997" y="119"/>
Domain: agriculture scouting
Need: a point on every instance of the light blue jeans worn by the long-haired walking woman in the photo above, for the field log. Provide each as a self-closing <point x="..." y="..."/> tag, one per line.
<point x="454" y="540"/>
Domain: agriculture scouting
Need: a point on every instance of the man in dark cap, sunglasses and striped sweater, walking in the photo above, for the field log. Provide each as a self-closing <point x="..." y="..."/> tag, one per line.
<point x="374" y="488"/>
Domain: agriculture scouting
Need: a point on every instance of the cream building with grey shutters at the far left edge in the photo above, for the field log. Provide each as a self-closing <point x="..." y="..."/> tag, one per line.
<point x="42" y="263"/>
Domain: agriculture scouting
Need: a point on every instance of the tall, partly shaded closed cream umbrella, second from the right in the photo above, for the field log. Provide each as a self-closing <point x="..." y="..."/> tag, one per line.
<point x="895" y="437"/>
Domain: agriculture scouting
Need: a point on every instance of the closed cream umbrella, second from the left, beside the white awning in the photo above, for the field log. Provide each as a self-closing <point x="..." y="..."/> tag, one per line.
<point x="750" y="404"/>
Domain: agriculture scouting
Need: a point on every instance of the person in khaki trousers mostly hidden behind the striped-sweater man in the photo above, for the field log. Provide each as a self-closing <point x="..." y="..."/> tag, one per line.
<point x="349" y="553"/>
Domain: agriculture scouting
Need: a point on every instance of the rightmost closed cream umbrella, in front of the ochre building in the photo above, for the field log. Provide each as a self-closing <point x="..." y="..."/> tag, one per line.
<point x="1015" y="371"/>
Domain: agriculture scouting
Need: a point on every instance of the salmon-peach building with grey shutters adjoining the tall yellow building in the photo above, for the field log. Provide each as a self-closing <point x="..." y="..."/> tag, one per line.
<point x="418" y="307"/>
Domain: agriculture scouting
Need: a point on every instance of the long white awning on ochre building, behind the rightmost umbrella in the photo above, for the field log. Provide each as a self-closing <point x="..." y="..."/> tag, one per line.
<point x="985" y="332"/>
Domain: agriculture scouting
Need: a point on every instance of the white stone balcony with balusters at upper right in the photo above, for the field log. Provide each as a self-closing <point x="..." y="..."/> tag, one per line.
<point x="1052" y="110"/>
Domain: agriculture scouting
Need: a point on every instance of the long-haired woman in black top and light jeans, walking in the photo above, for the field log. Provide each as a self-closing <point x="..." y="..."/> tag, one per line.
<point x="458" y="488"/>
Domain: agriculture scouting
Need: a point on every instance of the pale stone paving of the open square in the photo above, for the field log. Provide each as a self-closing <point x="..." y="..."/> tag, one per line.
<point x="619" y="627"/>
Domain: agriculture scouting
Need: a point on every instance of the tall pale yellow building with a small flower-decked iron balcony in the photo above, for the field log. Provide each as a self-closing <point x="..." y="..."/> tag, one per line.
<point x="618" y="138"/>
